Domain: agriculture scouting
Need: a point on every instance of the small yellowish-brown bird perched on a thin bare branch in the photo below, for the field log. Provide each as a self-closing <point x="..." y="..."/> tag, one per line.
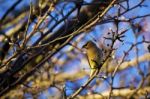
<point x="95" y="57"/>
